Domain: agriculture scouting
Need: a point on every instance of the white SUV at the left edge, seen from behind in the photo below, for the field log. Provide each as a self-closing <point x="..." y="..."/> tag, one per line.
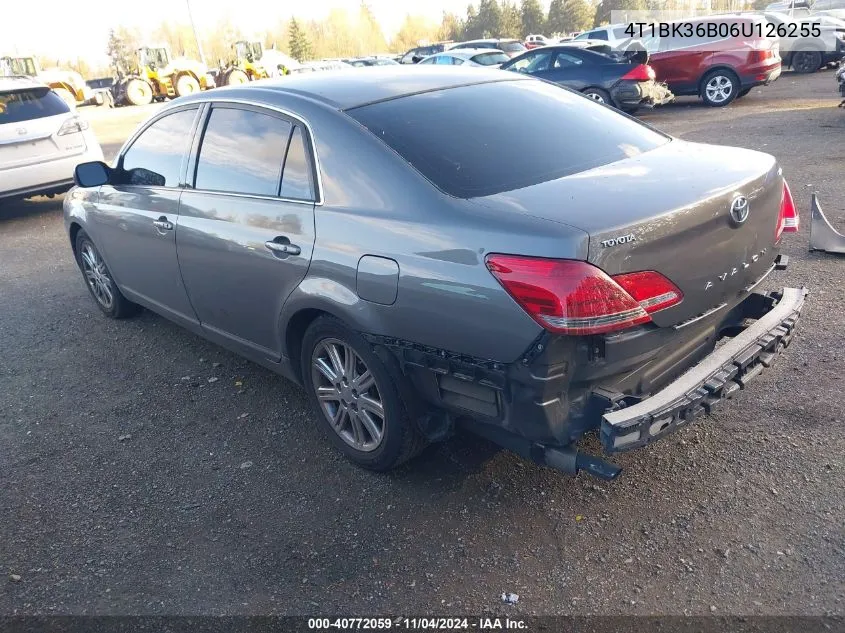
<point x="42" y="140"/>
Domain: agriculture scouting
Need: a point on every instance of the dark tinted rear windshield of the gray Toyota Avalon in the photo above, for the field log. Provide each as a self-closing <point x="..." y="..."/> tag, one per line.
<point x="487" y="138"/>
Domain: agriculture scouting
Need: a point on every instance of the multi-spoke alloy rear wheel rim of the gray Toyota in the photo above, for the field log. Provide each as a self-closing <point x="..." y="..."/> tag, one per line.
<point x="348" y="395"/>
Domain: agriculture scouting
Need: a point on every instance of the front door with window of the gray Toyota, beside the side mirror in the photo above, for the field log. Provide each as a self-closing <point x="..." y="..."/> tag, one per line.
<point x="134" y="224"/>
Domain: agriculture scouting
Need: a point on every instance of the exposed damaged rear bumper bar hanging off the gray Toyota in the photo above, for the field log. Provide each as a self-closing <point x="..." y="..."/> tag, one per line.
<point x="727" y="369"/>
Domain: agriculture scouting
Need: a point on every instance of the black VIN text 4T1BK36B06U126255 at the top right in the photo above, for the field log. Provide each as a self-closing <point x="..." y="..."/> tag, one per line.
<point x="721" y="30"/>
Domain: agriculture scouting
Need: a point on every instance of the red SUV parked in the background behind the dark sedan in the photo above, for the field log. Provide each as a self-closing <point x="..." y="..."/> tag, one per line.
<point x="718" y="69"/>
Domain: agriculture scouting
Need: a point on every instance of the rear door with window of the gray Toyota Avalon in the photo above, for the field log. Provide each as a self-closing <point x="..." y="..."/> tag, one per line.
<point x="246" y="227"/>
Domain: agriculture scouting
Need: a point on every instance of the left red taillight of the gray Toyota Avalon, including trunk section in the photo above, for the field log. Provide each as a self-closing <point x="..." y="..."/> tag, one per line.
<point x="574" y="297"/>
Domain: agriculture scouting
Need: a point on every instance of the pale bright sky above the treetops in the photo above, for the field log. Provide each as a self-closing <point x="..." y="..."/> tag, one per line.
<point x="71" y="28"/>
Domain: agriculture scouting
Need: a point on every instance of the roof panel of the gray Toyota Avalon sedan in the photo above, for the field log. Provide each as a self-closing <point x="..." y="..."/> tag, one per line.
<point x="344" y="90"/>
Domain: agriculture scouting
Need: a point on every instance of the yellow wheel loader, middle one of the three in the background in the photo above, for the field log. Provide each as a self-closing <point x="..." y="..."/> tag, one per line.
<point x="157" y="76"/>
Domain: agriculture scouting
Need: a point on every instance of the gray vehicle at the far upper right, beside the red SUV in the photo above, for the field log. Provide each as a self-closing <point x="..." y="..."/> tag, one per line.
<point x="811" y="42"/>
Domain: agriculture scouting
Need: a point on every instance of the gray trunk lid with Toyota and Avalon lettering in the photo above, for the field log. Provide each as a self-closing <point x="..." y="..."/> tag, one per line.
<point x="669" y="210"/>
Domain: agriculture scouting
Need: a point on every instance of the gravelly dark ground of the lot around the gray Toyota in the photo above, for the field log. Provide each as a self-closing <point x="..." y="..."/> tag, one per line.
<point x="135" y="483"/>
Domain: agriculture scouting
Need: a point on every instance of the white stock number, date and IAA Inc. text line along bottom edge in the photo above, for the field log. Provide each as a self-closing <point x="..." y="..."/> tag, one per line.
<point x="418" y="624"/>
